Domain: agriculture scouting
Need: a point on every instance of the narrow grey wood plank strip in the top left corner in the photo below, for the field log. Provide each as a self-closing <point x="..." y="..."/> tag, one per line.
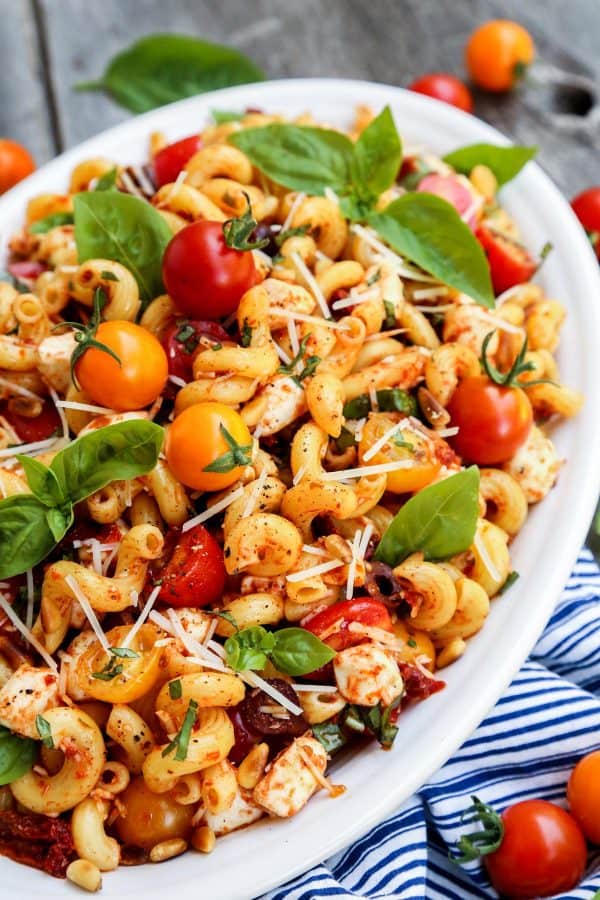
<point x="24" y="114"/>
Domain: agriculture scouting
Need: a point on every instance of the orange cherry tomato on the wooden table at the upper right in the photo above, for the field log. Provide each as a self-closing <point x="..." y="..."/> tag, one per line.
<point x="498" y="53"/>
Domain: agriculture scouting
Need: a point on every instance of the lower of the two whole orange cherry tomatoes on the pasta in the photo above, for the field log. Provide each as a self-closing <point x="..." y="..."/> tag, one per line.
<point x="208" y="434"/>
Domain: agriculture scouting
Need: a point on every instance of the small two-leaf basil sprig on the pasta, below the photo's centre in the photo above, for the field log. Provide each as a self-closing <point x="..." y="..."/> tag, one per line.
<point x="294" y="651"/>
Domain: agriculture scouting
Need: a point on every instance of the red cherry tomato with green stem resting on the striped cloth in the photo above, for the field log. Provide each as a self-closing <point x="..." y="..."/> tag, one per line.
<point x="542" y="853"/>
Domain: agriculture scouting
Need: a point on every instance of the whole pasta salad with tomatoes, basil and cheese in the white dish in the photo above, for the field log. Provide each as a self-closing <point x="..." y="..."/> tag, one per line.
<point x="272" y="410"/>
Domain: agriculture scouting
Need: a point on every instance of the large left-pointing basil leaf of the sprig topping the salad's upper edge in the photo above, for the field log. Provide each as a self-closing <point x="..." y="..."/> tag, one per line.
<point x="299" y="157"/>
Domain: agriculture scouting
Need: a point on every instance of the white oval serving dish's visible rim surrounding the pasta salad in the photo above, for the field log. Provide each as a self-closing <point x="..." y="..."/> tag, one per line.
<point x="254" y="860"/>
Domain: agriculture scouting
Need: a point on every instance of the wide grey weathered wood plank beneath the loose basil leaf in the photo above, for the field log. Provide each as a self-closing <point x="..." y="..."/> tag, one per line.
<point x="383" y="40"/>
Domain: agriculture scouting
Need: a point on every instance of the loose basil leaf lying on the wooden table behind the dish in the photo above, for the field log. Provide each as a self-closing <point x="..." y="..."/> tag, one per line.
<point x="162" y="68"/>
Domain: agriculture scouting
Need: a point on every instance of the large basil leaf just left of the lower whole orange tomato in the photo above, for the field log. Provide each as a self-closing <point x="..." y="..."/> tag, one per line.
<point x="120" y="451"/>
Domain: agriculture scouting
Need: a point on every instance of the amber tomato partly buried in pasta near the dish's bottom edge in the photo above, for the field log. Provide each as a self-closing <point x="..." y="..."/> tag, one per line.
<point x="151" y="818"/>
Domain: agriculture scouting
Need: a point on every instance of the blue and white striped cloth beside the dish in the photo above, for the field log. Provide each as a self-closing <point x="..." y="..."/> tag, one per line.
<point x="547" y="719"/>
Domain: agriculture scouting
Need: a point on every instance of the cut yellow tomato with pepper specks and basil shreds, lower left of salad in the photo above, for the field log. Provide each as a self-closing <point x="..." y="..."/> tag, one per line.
<point x="125" y="674"/>
